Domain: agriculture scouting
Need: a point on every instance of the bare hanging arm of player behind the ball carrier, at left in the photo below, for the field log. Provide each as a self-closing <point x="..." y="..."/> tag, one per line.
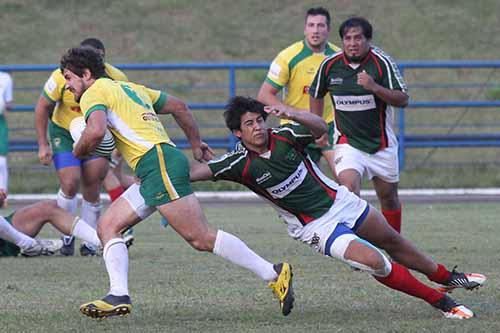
<point x="42" y="110"/>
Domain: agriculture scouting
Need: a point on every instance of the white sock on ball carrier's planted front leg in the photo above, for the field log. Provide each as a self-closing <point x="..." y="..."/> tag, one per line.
<point x="115" y="257"/>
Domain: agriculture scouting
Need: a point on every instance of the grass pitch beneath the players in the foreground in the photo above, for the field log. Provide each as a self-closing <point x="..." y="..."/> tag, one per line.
<point x="175" y="289"/>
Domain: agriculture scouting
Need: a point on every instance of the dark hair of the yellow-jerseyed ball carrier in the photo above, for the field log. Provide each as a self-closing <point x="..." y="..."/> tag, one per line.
<point x="80" y="58"/>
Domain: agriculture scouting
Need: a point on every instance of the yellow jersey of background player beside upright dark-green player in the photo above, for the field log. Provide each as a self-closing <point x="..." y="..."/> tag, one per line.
<point x="294" y="69"/>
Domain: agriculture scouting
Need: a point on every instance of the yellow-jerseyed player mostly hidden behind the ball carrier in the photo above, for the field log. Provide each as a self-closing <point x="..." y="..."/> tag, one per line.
<point x="56" y="108"/>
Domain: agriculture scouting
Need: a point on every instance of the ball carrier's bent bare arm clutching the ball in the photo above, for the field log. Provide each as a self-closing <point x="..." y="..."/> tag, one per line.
<point x="92" y="134"/>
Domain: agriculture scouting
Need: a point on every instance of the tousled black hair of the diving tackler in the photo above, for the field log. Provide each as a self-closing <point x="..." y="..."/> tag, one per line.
<point x="237" y="106"/>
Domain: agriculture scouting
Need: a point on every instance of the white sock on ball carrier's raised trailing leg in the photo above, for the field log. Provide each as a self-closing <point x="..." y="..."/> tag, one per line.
<point x="236" y="251"/>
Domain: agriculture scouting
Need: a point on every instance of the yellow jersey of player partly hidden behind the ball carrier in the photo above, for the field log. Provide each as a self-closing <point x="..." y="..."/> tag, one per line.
<point x="67" y="108"/>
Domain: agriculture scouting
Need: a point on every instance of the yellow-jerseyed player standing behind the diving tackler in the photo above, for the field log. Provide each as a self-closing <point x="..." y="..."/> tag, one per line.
<point x="293" y="71"/>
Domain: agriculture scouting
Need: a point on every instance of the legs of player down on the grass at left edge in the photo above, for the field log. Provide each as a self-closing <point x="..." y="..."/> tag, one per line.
<point x="18" y="229"/>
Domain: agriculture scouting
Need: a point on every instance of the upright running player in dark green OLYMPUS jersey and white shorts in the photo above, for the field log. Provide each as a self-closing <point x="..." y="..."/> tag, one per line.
<point x="364" y="84"/>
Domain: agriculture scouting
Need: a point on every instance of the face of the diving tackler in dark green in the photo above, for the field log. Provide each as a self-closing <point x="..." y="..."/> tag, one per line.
<point x="253" y="132"/>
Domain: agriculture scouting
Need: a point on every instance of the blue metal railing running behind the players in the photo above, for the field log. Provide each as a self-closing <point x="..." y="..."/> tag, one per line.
<point x="405" y="140"/>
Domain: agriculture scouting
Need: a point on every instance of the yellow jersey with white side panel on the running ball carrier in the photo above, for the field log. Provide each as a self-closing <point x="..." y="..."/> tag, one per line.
<point x="131" y="112"/>
